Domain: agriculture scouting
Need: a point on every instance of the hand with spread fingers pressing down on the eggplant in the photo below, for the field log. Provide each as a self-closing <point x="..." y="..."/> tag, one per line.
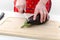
<point x="40" y="8"/>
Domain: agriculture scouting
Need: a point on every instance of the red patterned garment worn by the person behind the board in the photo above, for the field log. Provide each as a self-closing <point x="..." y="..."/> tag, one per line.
<point x="30" y="7"/>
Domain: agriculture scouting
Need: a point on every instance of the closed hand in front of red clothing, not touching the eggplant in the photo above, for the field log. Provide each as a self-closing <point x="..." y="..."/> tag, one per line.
<point x="20" y="4"/>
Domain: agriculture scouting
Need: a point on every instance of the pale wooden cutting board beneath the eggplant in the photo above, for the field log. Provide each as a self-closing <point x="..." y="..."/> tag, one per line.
<point x="12" y="26"/>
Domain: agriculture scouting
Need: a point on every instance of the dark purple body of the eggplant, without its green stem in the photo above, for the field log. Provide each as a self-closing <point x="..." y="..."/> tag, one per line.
<point x="37" y="21"/>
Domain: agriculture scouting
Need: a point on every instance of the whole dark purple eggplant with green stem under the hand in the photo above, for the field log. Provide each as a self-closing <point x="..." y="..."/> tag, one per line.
<point x="31" y="22"/>
